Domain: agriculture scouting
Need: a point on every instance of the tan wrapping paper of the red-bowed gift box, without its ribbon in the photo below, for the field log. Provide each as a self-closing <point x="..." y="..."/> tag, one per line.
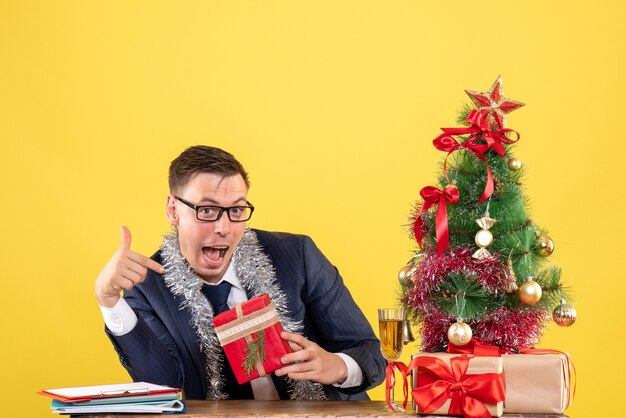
<point x="477" y="365"/>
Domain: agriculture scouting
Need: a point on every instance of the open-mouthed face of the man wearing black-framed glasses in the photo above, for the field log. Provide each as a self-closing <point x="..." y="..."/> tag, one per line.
<point x="208" y="246"/>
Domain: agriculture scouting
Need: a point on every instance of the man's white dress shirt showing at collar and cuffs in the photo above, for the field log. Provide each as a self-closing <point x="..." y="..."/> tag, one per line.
<point x="121" y="319"/>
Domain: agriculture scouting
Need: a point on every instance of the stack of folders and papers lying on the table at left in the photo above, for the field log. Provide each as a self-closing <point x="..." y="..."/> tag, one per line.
<point x="138" y="397"/>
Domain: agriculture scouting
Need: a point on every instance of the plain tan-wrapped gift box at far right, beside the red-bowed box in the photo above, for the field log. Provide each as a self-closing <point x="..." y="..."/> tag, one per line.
<point x="538" y="382"/>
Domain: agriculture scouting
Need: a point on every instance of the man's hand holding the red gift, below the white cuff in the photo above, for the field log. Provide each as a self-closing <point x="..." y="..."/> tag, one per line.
<point x="311" y="362"/>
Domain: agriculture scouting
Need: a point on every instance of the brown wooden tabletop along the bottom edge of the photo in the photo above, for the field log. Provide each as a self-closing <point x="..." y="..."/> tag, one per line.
<point x="311" y="409"/>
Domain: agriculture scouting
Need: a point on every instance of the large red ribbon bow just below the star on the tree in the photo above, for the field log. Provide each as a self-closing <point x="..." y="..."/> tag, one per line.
<point x="479" y="129"/>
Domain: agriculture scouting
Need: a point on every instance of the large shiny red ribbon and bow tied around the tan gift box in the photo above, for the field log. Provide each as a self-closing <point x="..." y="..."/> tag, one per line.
<point x="468" y="393"/>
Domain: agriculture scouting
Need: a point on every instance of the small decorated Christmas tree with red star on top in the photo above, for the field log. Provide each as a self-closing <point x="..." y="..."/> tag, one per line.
<point x="481" y="265"/>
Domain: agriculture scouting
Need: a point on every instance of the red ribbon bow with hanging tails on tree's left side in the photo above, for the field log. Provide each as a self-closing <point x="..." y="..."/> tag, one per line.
<point x="433" y="196"/>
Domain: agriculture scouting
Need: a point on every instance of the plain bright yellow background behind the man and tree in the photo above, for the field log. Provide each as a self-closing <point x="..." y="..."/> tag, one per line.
<point x="331" y="106"/>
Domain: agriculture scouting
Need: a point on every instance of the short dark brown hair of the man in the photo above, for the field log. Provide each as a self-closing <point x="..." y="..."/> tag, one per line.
<point x="202" y="159"/>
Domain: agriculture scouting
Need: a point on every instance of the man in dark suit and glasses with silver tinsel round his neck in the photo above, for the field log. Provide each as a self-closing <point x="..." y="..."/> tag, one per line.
<point x="162" y="328"/>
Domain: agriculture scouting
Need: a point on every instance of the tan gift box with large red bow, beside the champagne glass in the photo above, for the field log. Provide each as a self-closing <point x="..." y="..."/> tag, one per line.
<point x="453" y="384"/>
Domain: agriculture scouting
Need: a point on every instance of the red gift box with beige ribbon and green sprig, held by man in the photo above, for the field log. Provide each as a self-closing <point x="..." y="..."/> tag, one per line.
<point x="250" y="335"/>
